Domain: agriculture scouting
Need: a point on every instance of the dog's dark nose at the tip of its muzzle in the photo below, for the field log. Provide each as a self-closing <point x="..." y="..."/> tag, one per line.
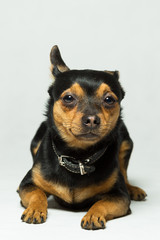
<point x="91" y="121"/>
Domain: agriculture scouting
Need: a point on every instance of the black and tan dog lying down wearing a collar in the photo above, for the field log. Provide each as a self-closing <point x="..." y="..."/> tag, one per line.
<point x="81" y="152"/>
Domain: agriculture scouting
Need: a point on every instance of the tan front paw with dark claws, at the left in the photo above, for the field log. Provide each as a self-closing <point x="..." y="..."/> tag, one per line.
<point x="34" y="214"/>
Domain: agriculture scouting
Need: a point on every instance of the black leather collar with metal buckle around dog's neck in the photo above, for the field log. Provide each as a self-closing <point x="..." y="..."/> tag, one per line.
<point x="76" y="166"/>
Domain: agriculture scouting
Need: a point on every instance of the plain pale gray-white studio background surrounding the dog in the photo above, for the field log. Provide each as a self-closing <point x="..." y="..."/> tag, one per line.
<point x="96" y="34"/>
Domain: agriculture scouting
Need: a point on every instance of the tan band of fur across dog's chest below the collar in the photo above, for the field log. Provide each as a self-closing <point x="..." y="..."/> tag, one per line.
<point x="73" y="195"/>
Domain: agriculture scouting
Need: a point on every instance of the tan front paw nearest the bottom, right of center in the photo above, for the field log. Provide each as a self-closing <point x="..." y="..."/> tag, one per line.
<point x="93" y="221"/>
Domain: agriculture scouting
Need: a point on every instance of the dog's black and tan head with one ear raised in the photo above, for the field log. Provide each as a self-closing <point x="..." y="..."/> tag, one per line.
<point x="86" y="102"/>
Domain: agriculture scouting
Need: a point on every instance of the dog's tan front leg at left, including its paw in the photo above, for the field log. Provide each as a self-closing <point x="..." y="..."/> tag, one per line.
<point x="34" y="200"/>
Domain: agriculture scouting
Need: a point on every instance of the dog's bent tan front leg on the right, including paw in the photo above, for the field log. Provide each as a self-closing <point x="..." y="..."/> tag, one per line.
<point x="105" y="210"/>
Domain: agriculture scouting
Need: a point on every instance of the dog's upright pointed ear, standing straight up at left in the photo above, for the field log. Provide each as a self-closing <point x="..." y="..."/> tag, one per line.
<point x="57" y="63"/>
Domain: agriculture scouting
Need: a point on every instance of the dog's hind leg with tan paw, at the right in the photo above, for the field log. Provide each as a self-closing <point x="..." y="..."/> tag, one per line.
<point x="125" y="151"/>
